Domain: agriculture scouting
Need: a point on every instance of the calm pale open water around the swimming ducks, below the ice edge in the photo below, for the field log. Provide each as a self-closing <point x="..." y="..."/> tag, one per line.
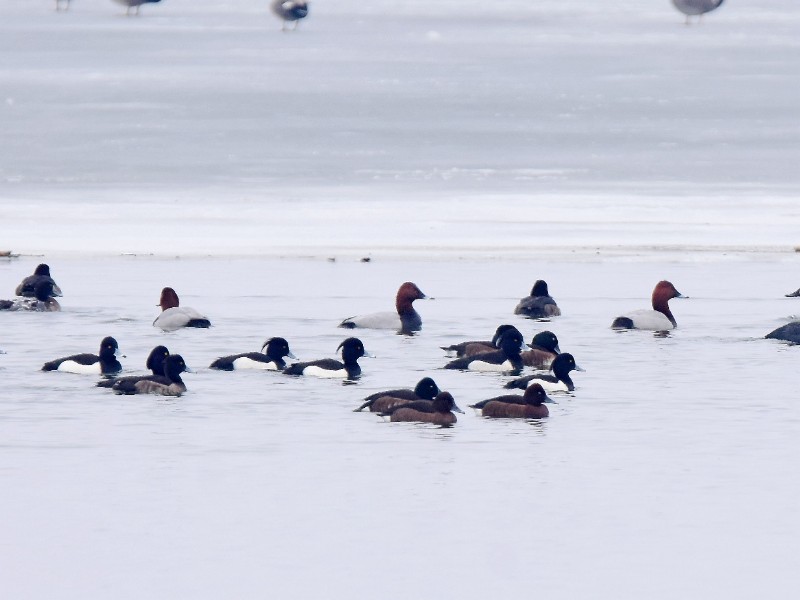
<point x="669" y="472"/>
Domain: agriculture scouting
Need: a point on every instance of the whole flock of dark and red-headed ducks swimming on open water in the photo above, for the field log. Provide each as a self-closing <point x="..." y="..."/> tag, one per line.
<point x="505" y="353"/>
